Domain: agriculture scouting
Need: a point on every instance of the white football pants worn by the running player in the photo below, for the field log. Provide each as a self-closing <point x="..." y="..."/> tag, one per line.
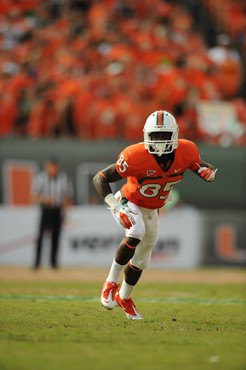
<point x="146" y="229"/>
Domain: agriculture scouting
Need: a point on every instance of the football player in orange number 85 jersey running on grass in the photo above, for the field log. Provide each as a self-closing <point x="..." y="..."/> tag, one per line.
<point x="151" y="168"/>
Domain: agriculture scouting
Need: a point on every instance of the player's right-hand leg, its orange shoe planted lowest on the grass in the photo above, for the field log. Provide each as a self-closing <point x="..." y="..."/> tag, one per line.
<point x="139" y="261"/>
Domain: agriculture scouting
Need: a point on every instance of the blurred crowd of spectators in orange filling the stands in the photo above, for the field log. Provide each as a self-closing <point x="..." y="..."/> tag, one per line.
<point x="93" y="69"/>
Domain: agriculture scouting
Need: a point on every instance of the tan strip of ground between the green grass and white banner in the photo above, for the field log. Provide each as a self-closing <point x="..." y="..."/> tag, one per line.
<point x="204" y="275"/>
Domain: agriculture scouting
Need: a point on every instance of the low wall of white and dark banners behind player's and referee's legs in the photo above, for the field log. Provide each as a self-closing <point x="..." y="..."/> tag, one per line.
<point x="188" y="238"/>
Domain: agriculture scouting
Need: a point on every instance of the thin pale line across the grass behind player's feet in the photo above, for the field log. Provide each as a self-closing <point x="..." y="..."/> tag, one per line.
<point x="224" y="301"/>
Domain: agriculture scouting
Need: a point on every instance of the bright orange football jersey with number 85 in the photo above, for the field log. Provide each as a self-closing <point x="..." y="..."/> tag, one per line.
<point x="147" y="184"/>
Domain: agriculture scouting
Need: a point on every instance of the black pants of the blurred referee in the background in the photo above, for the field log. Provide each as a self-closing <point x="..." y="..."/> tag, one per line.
<point x="51" y="219"/>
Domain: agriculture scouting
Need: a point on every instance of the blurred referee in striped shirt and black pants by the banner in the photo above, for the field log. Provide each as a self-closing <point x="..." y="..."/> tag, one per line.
<point x="52" y="190"/>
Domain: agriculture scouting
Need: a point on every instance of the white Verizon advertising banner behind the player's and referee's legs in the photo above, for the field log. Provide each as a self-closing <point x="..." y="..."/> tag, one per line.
<point x="90" y="238"/>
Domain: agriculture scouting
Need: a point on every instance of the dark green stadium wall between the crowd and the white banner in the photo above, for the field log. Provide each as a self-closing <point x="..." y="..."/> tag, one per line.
<point x="82" y="159"/>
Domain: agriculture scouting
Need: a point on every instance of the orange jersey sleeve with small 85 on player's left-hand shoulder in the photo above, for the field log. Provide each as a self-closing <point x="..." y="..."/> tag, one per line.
<point x="125" y="164"/>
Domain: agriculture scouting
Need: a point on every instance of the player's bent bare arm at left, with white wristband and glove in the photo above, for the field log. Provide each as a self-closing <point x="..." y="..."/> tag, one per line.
<point x="102" y="181"/>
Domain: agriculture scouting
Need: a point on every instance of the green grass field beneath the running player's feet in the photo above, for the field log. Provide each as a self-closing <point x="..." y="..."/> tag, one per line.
<point x="61" y="325"/>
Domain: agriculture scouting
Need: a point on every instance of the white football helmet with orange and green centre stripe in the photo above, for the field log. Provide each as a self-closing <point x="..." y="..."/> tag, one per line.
<point x="160" y="121"/>
